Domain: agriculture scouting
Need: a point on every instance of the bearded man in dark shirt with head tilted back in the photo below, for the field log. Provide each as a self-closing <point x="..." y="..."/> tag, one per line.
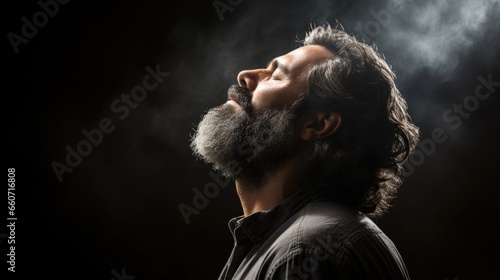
<point x="315" y="143"/>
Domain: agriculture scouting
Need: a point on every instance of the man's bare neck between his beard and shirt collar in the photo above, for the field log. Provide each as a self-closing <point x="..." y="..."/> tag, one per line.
<point x="289" y="179"/>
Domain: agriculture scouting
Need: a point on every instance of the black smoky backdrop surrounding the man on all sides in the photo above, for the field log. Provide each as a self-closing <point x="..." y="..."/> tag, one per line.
<point x="117" y="212"/>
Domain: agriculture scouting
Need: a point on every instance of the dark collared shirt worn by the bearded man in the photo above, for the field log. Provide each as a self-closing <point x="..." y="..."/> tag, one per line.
<point x="309" y="236"/>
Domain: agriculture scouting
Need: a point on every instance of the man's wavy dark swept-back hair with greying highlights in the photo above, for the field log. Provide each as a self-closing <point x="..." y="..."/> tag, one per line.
<point x="362" y="162"/>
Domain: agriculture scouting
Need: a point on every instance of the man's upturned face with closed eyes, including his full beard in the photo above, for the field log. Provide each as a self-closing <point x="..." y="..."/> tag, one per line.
<point x="253" y="133"/>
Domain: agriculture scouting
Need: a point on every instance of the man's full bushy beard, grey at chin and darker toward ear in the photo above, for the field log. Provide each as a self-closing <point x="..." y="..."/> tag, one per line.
<point x="248" y="146"/>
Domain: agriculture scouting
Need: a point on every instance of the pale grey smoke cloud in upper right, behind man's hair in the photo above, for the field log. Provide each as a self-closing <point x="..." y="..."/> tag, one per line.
<point x="429" y="44"/>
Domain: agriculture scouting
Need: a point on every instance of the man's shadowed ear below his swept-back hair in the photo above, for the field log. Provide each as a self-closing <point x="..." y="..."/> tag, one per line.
<point x="319" y="125"/>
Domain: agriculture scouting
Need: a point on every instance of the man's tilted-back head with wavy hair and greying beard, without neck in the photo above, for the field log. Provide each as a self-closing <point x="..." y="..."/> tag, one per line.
<point x="332" y="102"/>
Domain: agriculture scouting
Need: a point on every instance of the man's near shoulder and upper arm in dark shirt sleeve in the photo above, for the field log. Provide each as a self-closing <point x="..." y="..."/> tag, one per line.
<point x="336" y="239"/>
